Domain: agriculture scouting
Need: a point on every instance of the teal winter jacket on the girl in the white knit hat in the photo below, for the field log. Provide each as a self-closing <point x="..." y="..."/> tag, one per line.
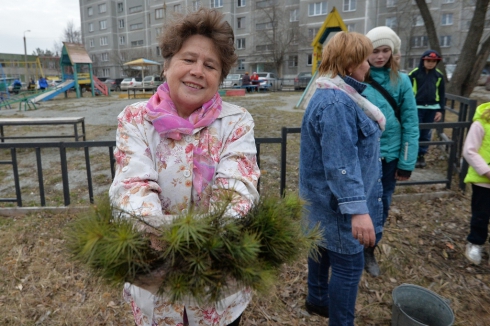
<point x="398" y="140"/>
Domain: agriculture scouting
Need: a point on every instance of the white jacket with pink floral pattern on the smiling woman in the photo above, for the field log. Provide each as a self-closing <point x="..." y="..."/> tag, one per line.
<point x="154" y="181"/>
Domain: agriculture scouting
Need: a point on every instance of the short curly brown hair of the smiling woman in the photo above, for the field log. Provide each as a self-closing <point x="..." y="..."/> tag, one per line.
<point x="206" y="22"/>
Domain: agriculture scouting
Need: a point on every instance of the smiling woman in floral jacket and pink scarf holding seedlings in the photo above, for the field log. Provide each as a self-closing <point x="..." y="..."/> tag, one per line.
<point x="183" y="150"/>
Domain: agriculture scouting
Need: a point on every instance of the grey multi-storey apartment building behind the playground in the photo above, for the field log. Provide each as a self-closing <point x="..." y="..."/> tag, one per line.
<point x="270" y="35"/>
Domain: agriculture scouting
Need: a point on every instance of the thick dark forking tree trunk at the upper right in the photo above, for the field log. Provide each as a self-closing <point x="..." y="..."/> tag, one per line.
<point x="474" y="52"/>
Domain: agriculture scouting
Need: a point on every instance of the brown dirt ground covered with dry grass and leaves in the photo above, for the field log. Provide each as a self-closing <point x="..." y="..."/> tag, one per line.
<point x="423" y="244"/>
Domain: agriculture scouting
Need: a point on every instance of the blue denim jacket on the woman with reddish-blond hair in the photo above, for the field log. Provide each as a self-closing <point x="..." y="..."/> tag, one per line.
<point x="340" y="166"/>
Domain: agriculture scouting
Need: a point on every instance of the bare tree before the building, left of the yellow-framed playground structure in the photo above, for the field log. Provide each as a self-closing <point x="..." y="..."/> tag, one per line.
<point x="278" y="35"/>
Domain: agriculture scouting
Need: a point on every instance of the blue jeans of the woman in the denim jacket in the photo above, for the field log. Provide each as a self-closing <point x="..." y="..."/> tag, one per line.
<point x="340" y="293"/>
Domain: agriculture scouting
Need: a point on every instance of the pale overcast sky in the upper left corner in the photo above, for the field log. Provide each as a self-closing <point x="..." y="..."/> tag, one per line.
<point x="46" y="20"/>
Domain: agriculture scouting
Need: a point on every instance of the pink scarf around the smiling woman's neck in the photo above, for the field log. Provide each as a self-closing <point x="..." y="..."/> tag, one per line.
<point x="162" y="112"/>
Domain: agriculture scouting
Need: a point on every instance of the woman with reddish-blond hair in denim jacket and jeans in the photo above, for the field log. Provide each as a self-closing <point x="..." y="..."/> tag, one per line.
<point x="340" y="173"/>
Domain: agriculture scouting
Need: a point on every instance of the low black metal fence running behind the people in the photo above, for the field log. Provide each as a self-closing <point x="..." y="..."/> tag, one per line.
<point x="452" y="142"/>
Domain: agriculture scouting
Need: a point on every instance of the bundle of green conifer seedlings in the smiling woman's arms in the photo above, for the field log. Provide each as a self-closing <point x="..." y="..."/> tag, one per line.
<point x="199" y="256"/>
